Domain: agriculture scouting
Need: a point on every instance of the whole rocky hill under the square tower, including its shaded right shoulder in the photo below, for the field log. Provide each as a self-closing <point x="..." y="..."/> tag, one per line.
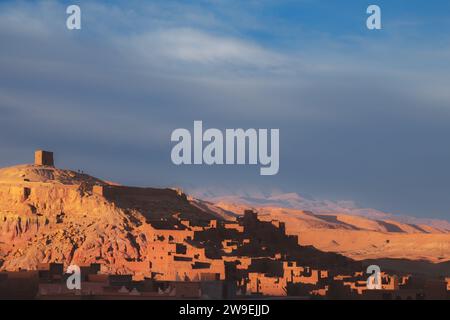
<point x="52" y="215"/>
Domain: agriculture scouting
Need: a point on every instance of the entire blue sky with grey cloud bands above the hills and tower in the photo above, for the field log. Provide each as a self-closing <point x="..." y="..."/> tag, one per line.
<point x="363" y="115"/>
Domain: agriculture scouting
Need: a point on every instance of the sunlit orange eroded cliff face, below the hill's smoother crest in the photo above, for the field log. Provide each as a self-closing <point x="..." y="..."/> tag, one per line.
<point x="65" y="224"/>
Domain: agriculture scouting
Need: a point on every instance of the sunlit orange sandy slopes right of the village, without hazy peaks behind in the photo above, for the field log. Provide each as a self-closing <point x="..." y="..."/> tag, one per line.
<point x="359" y="237"/>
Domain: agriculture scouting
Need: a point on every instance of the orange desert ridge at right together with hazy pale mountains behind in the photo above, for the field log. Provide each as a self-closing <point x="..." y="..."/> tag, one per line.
<point x="352" y="233"/>
